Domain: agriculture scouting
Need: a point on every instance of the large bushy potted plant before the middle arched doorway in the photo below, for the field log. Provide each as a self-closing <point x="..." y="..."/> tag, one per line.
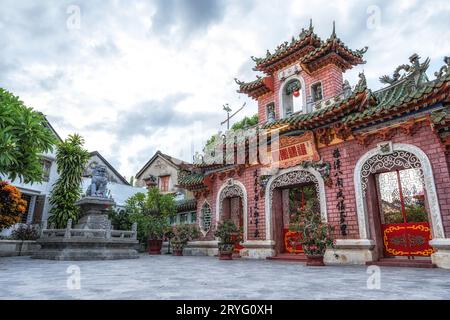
<point x="313" y="234"/>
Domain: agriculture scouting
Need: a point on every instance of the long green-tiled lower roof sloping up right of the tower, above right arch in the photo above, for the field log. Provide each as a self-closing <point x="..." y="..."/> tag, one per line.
<point x="404" y="94"/>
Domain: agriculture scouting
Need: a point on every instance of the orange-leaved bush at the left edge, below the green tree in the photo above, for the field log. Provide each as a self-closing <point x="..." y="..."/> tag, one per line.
<point x="12" y="206"/>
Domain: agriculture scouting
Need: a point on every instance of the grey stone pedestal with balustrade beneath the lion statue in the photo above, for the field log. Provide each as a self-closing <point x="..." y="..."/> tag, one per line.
<point x="91" y="239"/>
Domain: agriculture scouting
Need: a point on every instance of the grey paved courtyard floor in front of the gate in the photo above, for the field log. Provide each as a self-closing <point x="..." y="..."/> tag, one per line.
<point x="167" y="277"/>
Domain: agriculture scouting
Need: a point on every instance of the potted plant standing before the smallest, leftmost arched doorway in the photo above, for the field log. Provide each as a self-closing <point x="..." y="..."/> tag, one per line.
<point x="228" y="234"/>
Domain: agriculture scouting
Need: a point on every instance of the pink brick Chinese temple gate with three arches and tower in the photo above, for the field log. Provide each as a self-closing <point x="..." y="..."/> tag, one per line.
<point x="377" y="161"/>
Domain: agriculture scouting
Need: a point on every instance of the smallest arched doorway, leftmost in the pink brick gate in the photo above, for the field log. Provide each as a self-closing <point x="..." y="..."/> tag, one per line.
<point x="232" y="205"/>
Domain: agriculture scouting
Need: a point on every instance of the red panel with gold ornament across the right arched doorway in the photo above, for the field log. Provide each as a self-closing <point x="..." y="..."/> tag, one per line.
<point x="407" y="239"/>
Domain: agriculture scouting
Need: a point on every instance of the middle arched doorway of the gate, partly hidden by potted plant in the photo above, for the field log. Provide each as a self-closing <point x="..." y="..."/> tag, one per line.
<point x="285" y="192"/>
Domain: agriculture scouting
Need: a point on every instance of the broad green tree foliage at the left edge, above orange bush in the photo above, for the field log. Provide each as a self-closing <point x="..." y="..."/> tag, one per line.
<point x="23" y="137"/>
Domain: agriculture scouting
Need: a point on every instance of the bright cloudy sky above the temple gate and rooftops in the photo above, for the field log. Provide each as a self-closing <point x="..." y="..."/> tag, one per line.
<point x="134" y="77"/>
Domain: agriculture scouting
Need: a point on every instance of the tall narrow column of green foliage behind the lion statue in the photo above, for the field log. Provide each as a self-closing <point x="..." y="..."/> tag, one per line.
<point x="71" y="159"/>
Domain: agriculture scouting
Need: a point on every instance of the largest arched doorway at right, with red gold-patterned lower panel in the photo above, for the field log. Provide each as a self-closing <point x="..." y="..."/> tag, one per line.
<point x="396" y="201"/>
